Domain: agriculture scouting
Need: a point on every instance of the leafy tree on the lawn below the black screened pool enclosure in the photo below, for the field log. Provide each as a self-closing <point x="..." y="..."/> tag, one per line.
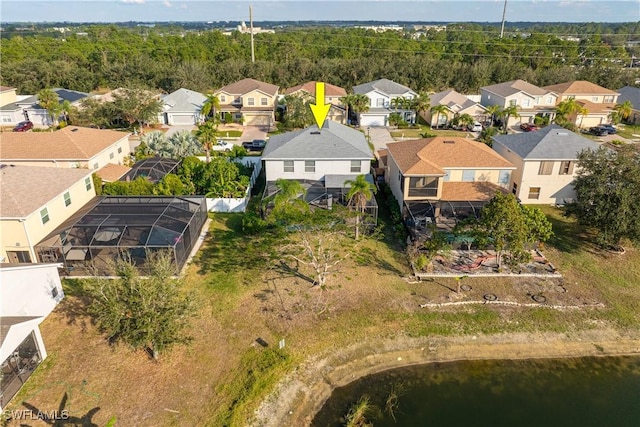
<point x="149" y="313"/>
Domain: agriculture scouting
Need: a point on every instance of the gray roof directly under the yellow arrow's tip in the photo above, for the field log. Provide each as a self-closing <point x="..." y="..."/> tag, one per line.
<point x="334" y="141"/>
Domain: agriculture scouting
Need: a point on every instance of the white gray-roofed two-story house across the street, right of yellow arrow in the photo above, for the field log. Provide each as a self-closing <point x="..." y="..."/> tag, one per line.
<point x="381" y="94"/>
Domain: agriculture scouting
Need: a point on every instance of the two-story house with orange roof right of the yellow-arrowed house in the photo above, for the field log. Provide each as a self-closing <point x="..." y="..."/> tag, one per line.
<point x="448" y="177"/>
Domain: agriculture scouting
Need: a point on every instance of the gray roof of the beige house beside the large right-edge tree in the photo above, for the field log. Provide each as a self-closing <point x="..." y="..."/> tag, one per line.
<point x="549" y="143"/>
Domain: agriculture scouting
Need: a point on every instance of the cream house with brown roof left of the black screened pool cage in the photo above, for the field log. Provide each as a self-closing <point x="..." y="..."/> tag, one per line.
<point x="36" y="200"/>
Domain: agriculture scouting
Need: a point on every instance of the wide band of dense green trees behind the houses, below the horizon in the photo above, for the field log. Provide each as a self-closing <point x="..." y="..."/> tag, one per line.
<point x="464" y="57"/>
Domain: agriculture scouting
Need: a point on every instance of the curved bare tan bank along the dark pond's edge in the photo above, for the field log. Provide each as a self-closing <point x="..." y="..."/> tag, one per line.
<point x="300" y="395"/>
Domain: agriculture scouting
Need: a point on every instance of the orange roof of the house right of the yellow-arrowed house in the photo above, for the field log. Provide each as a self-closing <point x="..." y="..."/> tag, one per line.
<point x="432" y="155"/>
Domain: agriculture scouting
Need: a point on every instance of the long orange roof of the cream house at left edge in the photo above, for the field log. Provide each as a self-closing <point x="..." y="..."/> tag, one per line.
<point x="70" y="143"/>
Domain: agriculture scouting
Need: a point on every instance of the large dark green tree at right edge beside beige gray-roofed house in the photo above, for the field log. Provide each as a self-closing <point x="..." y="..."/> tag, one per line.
<point x="607" y="196"/>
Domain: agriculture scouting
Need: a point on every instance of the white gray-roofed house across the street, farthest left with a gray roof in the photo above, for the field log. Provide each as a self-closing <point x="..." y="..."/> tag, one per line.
<point x="182" y="107"/>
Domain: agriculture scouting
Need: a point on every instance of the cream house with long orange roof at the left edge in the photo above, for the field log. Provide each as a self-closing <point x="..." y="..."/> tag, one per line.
<point x="70" y="147"/>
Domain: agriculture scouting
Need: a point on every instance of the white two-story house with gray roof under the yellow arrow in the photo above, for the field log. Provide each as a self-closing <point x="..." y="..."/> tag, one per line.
<point x="322" y="159"/>
